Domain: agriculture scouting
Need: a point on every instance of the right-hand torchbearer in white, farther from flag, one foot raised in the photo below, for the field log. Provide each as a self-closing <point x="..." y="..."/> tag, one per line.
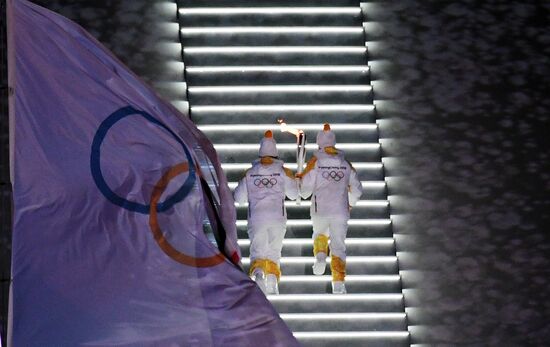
<point x="334" y="186"/>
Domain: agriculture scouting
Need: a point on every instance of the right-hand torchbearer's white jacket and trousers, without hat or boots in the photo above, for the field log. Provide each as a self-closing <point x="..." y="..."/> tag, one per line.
<point x="335" y="187"/>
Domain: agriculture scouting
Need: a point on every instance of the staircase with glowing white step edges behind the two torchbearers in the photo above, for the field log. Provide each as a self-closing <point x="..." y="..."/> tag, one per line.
<point x="304" y="61"/>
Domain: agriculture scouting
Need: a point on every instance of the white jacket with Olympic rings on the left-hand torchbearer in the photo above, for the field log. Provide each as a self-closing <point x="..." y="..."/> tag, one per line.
<point x="265" y="187"/>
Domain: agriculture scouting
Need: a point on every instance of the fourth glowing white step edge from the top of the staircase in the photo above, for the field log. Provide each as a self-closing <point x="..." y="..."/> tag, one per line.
<point x="276" y="68"/>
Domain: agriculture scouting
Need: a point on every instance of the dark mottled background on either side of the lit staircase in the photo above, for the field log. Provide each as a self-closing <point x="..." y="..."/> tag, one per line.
<point x="462" y="95"/>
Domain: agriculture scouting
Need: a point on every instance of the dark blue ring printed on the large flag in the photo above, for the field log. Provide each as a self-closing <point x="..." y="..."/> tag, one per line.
<point x="95" y="164"/>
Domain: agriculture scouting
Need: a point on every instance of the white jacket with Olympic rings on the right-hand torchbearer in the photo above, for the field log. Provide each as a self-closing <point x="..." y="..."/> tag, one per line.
<point x="334" y="184"/>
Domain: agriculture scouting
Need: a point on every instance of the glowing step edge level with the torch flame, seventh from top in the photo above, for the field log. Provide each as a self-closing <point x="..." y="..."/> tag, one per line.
<point x="276" y="127"/>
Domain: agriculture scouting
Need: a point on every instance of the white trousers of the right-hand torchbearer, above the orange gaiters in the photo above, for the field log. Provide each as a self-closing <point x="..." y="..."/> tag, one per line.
<point x="336" y="228"/>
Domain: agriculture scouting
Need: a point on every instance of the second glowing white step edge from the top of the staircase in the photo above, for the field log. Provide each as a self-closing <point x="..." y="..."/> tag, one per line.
<point x="231" y="30"/>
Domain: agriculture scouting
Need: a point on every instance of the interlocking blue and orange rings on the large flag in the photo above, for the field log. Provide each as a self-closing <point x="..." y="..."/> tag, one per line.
<point x="154" y="207"/>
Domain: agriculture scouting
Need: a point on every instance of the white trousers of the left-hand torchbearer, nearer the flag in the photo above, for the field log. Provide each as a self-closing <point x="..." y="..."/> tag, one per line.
<point x="266" y="240"/>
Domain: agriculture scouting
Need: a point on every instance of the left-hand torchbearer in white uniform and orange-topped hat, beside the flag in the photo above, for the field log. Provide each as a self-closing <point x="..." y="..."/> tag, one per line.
<point x="264" y="187"/>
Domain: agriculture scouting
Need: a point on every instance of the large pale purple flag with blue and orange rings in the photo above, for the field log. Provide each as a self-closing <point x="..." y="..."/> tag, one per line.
<point x="124" y="226"/>
